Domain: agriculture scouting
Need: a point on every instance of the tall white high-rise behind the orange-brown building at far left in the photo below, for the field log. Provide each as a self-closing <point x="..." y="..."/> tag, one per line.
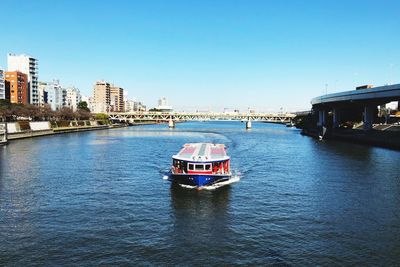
<point x="29" y="66"/>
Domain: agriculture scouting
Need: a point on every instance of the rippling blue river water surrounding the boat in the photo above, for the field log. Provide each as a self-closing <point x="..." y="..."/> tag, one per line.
<point x="99" y="198"/>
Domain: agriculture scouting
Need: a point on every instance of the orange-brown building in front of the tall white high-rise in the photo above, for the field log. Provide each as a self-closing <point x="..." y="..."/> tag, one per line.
<point x="16" y="87"/>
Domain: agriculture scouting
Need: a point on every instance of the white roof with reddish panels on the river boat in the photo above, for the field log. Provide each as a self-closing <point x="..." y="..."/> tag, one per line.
<point x="202" y="152"/>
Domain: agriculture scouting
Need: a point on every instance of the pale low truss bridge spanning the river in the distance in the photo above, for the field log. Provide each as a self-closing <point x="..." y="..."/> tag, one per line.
<point x="173" y="117"/>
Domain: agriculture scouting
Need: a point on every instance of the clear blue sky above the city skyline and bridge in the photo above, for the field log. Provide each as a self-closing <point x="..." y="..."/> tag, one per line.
<point x="209" y="54"/>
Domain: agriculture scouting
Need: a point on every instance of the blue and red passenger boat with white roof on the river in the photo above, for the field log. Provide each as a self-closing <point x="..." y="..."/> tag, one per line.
<point x="201" y="164"/>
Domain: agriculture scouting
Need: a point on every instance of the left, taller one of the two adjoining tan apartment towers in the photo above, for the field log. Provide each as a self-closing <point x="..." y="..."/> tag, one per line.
<point x="101" y="97"/>
